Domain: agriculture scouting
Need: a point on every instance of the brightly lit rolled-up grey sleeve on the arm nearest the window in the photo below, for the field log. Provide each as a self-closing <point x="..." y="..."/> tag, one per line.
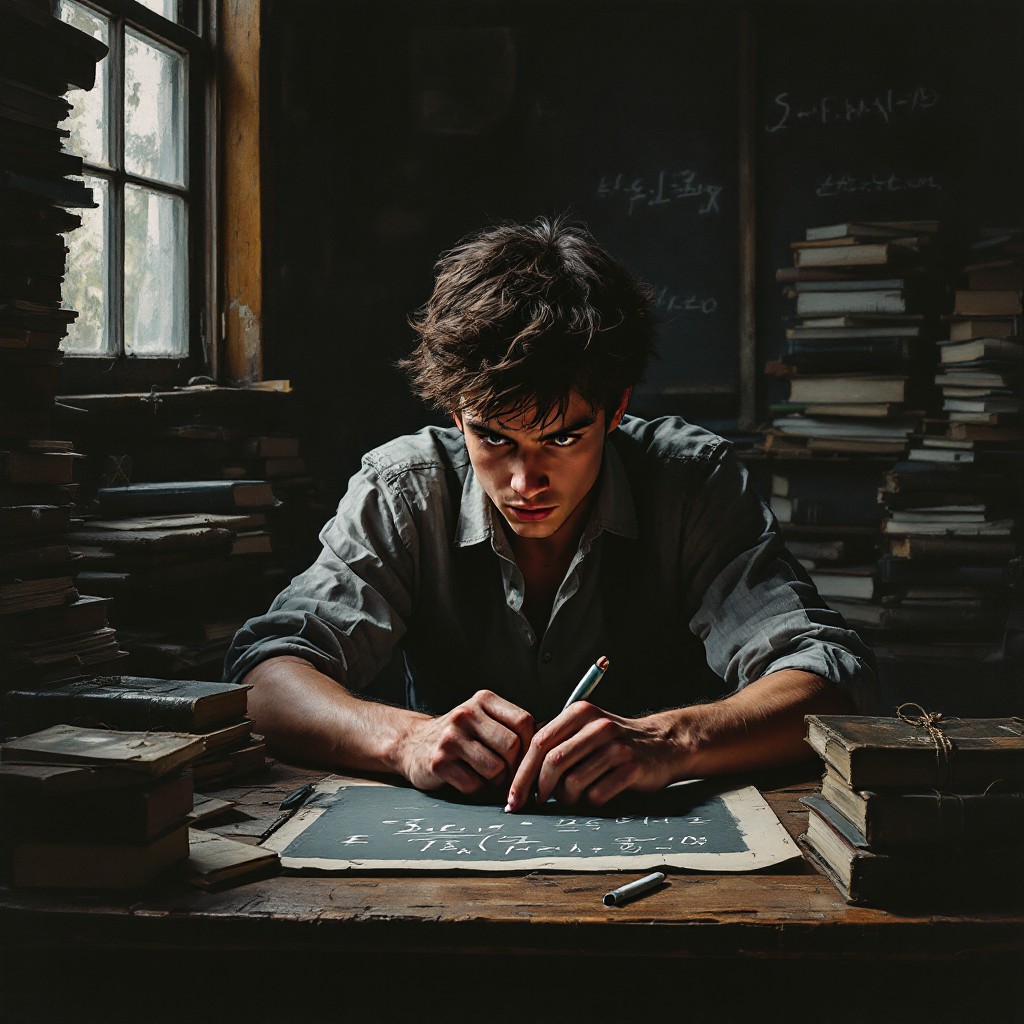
<point x="347" y="613"/>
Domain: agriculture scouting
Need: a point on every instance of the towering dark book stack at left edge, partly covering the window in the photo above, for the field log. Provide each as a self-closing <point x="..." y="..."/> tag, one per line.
<point x="48" y="632"/>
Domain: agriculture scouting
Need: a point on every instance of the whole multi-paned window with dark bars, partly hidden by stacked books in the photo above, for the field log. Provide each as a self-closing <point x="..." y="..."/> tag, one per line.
<point x="136" y="269"/>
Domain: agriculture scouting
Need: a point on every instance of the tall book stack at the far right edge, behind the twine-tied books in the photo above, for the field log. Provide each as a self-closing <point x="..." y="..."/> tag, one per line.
<point x="955" y="507"/>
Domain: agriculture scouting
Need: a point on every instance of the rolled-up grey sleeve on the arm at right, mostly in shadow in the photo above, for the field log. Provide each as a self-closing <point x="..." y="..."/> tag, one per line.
<point x="754" y="607"/>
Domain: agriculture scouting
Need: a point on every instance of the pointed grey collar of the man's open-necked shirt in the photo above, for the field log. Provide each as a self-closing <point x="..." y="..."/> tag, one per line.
<point x="614" y="511"/>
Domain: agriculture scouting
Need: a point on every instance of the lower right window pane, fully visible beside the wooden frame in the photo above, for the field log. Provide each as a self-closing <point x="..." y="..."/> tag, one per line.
<point x="156" y="234"/>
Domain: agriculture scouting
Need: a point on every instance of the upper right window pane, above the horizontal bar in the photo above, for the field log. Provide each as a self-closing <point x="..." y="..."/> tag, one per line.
<point x="155" y="108"/>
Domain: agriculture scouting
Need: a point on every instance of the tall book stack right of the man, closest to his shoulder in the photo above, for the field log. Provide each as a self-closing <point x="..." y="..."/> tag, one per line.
<point x="852" y="369"/>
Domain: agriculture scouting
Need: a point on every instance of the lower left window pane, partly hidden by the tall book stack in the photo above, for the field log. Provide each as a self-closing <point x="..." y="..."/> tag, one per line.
<point x="87" y="285"/>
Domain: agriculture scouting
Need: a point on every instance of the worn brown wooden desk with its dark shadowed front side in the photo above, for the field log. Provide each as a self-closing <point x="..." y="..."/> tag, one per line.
<point x="371" y="934"/>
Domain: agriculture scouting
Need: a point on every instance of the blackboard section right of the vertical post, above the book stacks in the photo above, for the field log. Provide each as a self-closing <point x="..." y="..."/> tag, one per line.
<point x="884" y="111"/>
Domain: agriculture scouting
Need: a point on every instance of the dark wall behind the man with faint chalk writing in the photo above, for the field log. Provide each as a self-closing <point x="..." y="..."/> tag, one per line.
<point x="392" y="130"/>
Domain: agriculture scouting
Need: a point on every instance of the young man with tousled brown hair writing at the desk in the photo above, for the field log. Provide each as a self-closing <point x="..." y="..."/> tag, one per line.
<point x="543" y="531"/>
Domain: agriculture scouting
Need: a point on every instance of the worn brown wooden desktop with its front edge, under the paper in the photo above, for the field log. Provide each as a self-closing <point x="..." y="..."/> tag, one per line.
<point x="793" y="912"/>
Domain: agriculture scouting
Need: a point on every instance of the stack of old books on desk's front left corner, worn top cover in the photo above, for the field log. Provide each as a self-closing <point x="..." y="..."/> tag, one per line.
<point x="95" y="808"/>
